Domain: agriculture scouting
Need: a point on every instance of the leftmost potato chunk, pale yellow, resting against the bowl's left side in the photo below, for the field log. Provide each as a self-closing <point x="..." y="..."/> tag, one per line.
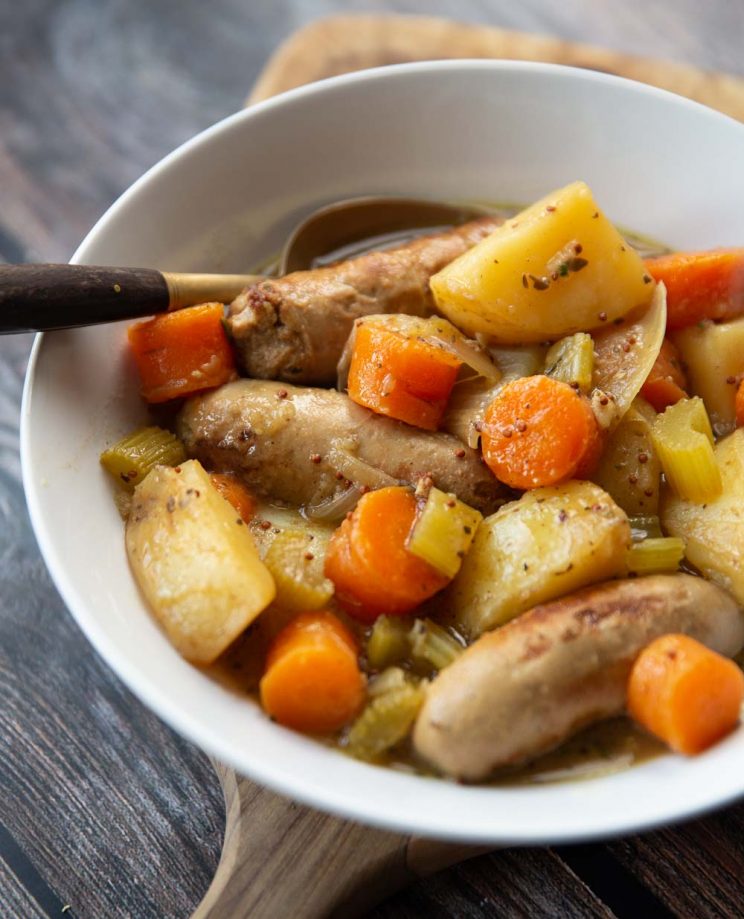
<point x="194" y="561"/>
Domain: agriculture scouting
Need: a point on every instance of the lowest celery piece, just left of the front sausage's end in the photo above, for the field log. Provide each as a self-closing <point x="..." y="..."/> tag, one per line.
<point x="385" y="721"/>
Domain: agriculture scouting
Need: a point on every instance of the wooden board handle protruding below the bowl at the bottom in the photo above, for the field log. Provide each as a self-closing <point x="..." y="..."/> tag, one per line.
<point x="280" y="858"/>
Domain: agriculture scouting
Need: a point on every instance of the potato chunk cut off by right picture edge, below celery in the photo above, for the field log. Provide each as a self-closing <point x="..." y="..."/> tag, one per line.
<point x="714" y="532"/>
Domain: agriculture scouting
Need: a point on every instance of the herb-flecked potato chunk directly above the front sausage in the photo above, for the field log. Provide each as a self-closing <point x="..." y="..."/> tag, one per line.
<point x="549" y="543"/>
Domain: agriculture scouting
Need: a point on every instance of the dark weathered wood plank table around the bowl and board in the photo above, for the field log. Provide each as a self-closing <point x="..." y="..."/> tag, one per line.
<point x="104" y="811"/>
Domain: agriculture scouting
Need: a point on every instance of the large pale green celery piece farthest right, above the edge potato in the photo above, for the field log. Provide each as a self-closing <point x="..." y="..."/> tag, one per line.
<point x="684" y="441"/>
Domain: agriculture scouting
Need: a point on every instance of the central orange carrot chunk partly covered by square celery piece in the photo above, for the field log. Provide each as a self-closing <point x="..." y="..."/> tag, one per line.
<point x="367" y="559"/>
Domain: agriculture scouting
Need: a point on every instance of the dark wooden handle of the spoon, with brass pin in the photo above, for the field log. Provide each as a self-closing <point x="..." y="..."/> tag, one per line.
<point x="43" y="297"/>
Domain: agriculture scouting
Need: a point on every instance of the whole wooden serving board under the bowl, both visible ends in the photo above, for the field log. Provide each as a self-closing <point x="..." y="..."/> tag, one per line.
<point x="280" y="858"/>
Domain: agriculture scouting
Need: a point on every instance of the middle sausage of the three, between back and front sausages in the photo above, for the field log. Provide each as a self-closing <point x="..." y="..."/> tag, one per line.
<point x="297" y="444"/>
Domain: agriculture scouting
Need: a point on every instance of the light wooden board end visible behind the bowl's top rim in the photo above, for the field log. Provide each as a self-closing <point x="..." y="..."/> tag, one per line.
<point x="341" y="44"/>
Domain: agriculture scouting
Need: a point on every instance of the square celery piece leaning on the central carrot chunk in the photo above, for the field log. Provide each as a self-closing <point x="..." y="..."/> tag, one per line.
<point x="443" y="532"/>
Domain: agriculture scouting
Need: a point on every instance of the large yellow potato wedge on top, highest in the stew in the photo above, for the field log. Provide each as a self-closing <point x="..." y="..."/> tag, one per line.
<point x="556" y="268"/>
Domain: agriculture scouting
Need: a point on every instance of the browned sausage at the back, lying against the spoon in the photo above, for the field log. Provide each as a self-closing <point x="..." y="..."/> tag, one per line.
<point x="294" y="328"/>
